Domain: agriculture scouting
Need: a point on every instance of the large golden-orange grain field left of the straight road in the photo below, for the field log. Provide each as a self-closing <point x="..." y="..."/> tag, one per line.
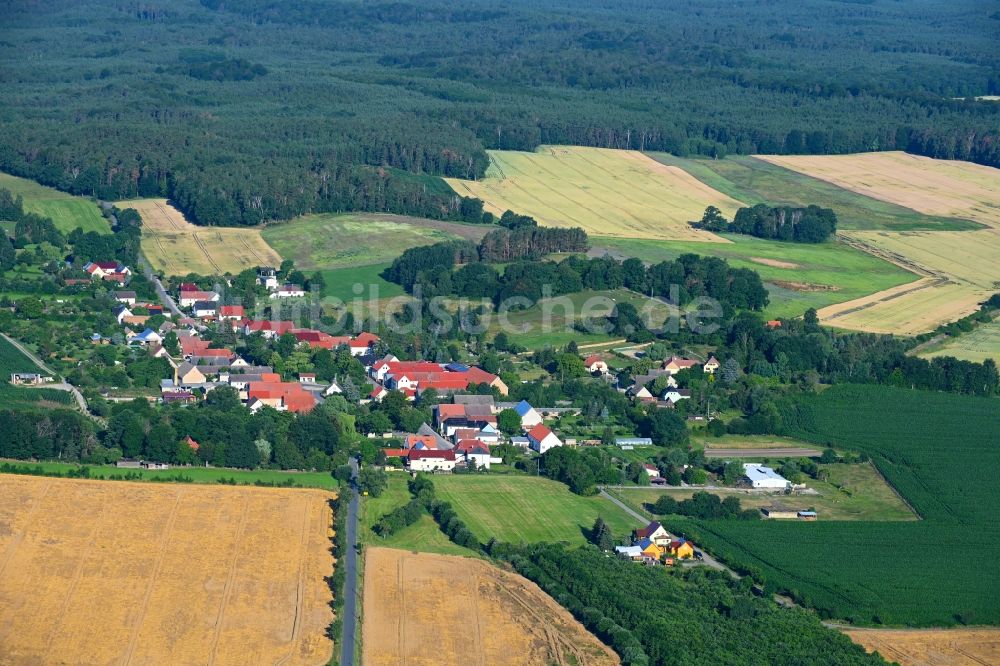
<point x="112" y="572"/>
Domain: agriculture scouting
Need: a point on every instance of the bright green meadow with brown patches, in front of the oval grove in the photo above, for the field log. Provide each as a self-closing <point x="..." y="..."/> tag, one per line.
<point x="798" y="275"/>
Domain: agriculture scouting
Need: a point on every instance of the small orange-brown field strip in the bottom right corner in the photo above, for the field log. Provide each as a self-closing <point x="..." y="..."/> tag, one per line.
<point x="932" y="647"/>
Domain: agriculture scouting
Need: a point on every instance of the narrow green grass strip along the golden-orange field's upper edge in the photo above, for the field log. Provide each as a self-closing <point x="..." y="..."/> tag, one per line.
<point x="197" y="474"/>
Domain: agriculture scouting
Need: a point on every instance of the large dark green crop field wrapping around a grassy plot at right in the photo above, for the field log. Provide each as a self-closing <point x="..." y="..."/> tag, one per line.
<point x="939" y="452"/>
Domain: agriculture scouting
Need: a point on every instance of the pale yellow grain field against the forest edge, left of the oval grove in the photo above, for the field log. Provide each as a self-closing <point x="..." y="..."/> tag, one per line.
<point x="612" y="193"/>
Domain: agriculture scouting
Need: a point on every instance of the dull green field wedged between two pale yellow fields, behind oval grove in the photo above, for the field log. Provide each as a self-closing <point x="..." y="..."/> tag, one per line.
<point x="755" y="181"/>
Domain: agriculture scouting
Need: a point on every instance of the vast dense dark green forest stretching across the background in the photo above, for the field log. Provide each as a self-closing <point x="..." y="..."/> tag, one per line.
<point x="248" y="110"/>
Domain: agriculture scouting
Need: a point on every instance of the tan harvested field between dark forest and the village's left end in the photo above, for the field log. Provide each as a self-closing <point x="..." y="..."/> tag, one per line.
<point x="176" y="247"/>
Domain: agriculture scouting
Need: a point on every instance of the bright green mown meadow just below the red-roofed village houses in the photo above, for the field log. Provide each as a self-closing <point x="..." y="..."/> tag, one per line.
<point x="525" y="509"/>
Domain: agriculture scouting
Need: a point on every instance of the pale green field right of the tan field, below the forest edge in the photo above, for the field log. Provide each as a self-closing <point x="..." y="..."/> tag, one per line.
<point x="326" y="241"/>
